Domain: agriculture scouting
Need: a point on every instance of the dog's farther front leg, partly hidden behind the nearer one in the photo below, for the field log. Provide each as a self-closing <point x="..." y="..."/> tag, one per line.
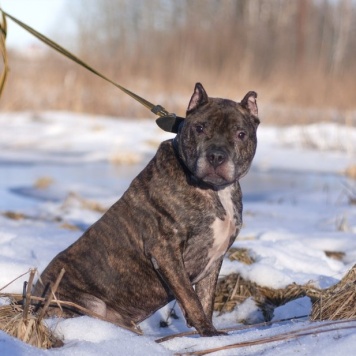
<point x="205" y="288"/>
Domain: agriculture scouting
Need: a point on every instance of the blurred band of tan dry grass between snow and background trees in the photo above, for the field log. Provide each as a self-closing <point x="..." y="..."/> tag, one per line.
<point x="79" y="94"/>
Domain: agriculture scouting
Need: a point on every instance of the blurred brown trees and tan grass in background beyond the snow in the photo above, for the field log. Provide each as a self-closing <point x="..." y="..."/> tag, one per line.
<point x="294" y="53"/>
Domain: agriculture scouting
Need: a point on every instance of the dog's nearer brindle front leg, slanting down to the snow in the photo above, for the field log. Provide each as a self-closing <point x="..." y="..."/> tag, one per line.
<point x="169" y="264"/>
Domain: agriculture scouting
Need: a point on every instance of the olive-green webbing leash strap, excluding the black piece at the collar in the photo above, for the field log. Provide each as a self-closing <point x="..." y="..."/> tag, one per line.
<point x="156" y="109"/>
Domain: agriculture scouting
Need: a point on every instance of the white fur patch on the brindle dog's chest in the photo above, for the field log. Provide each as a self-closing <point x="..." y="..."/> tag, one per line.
<point x="222" y="230"/>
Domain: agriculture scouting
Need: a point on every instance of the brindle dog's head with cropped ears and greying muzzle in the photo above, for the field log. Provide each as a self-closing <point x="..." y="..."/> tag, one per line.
<point x="217" y="140"/>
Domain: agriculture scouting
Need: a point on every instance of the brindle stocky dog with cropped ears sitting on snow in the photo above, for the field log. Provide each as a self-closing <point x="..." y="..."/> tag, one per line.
<point x="166" y="237"/>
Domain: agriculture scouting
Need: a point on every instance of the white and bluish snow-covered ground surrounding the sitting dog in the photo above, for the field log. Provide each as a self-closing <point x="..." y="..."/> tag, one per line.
<point x="57" y="170"/>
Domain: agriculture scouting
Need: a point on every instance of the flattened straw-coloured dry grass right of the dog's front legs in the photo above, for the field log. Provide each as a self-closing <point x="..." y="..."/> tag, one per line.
<point x="336" y="302"/>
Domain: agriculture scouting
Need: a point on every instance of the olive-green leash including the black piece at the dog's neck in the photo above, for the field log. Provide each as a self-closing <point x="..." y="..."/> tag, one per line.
<point x="167" y="121"/>
